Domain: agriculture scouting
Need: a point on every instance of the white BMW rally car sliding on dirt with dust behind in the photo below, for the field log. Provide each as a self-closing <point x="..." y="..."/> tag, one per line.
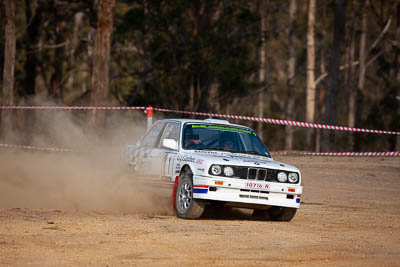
<point x="213" y="162"/>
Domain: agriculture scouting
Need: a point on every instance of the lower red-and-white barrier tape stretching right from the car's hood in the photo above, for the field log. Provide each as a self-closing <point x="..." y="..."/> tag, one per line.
<point x="344" y="154"/>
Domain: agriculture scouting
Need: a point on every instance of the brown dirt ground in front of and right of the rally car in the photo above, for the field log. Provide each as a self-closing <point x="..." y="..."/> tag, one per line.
<point x="350" y="215"/>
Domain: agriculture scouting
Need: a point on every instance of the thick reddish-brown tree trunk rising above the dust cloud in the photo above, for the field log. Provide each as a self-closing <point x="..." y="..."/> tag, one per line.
<point x="100" y="60"/>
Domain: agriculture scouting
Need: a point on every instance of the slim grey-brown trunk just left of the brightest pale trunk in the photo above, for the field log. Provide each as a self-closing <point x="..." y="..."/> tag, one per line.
<point x="291" y="75"/>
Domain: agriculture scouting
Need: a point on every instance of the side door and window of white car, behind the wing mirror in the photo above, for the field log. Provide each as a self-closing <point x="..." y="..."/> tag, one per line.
<point x="161" y="156"/>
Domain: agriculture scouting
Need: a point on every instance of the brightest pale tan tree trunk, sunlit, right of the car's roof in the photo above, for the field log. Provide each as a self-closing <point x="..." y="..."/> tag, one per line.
<point x="310" y="91"/>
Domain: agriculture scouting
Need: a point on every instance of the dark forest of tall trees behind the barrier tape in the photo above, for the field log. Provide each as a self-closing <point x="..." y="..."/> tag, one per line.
<point x="332" y="62"/>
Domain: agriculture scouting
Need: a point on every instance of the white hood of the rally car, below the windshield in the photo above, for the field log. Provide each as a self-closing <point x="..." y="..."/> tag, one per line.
<point x="206" y="158"/>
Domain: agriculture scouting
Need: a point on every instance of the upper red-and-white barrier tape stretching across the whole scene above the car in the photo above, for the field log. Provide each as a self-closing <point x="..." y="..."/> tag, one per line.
<point x="238" y="117"/>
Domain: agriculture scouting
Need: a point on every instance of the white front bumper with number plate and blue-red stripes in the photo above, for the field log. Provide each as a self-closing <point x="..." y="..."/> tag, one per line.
<point x="240" y="191"/>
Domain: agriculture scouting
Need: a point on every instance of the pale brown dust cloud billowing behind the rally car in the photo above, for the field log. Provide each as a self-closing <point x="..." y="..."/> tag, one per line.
<point x="93" y="177"/>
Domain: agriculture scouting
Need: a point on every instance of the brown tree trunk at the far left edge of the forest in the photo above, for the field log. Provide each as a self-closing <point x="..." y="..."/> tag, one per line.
<point x="7" y="121"/>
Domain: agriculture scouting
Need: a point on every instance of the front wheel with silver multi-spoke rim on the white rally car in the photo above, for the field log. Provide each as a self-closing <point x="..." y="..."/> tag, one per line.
<point x="186" y="207"/>
